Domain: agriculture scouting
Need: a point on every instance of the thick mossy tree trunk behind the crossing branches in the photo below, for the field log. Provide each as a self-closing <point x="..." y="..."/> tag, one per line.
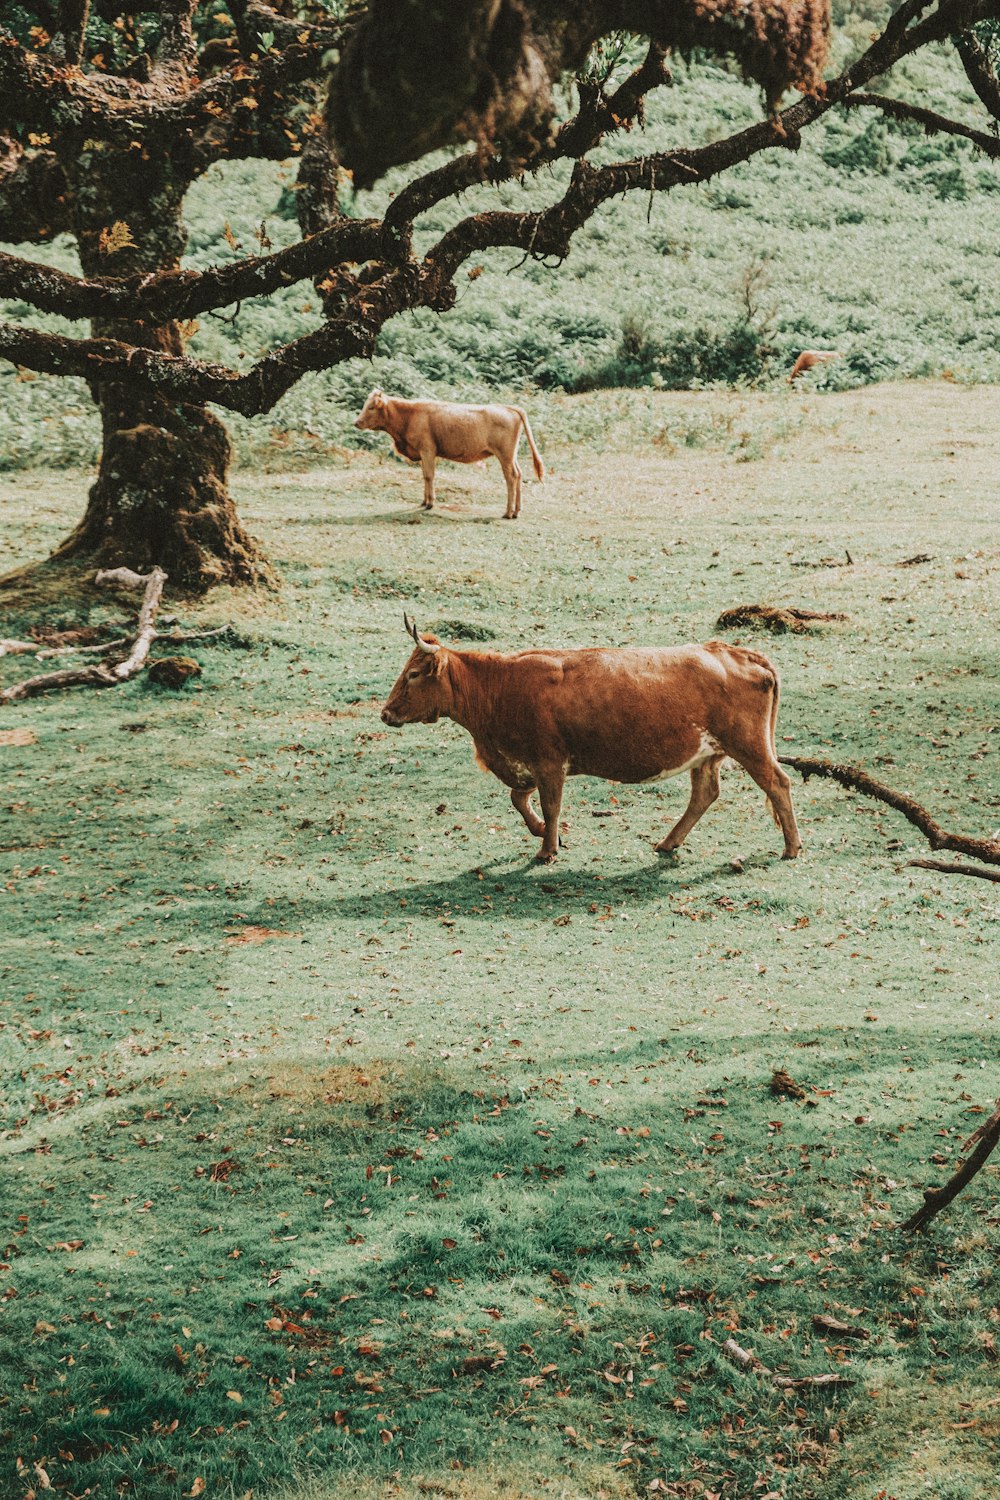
<point x="161" y="497"/>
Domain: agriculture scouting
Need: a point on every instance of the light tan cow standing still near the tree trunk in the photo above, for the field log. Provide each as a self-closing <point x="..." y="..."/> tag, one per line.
<point x="427" y="431"/>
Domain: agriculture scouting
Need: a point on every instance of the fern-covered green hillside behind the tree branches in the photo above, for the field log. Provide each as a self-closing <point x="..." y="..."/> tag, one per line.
<point x="872" y="239"/>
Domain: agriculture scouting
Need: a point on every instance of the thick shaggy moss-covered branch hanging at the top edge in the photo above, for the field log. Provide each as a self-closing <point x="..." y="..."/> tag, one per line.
<point x="419" y="74"/>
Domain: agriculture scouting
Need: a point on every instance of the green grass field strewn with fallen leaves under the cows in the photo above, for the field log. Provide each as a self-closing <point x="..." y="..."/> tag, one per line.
<point x="346" y="1151"/>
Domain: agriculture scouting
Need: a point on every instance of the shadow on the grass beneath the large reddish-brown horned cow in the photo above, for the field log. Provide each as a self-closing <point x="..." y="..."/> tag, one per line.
<point x="501" y="889"/>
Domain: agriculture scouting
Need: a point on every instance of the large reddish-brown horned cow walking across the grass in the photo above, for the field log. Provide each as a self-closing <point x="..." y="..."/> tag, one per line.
<point x="635" y="715"/>
